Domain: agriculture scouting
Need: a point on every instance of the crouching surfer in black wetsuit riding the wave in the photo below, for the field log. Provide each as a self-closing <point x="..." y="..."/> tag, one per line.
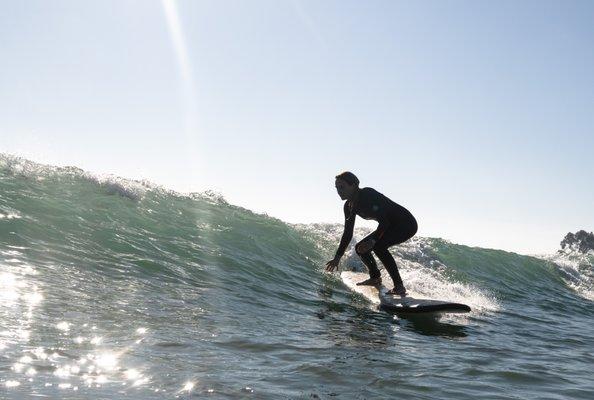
<point x="396" y="225"/>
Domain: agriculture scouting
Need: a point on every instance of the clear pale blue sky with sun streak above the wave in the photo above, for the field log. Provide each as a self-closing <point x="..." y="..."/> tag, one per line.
<point x="477" y="116"/>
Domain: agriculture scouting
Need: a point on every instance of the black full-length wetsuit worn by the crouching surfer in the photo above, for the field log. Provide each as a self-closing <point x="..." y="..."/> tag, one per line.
<point x="396" y="225"/>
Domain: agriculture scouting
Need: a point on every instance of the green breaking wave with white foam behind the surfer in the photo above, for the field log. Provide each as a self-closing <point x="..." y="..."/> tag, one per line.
<point x="120" y="228"/>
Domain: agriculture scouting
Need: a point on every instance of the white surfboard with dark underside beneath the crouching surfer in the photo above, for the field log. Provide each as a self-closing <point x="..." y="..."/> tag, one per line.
<point x="396" y="304"/>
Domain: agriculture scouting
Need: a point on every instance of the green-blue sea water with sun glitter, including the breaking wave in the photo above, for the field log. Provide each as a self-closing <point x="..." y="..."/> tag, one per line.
<point x="111" y="289"/>
